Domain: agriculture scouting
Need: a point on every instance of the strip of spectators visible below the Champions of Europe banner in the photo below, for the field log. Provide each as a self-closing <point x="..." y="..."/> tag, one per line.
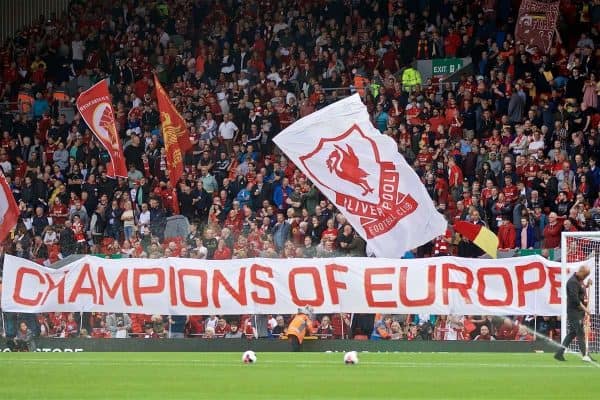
<point x="334" y="326"/>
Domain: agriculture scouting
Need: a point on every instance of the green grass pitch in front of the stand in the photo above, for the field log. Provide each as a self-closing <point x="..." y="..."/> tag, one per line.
<point x="295" y="376"/>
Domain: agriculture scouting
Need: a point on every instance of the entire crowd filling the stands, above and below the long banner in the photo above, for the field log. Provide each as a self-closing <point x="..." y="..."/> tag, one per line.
<point x="513" y="144"/>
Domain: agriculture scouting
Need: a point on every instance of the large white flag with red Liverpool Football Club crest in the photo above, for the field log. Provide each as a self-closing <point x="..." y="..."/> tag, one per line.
<point x="362" y="173"/>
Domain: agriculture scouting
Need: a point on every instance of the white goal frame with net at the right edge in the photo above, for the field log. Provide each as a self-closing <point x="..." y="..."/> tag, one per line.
<point x="582" y="246"/>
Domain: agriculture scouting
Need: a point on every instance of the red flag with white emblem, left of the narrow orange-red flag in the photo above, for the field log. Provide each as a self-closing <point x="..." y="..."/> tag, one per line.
<point x="95" y="106"/>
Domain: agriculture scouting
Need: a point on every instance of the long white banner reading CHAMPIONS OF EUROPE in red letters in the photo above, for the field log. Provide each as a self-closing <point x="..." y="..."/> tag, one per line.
<point x="445" y="285"/>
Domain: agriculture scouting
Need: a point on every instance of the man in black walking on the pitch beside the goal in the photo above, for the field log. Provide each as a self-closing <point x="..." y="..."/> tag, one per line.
<point x="576" y="310"/>
